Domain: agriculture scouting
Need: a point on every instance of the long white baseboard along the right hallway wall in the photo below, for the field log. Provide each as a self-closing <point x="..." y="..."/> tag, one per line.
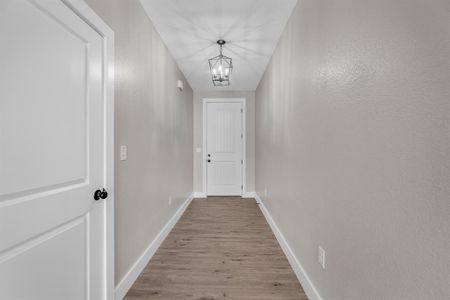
<point x="299" y="271"/>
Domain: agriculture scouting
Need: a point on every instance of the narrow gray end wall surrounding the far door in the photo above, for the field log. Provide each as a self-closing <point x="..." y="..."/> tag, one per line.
<point x="198" y="134"/>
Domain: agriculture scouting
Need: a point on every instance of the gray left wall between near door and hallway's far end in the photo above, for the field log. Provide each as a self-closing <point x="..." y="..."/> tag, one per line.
<point x="155" y="120"/>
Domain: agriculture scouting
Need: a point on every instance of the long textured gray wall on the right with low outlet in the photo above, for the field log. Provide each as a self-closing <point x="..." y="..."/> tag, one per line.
<point x="353" y="145"/>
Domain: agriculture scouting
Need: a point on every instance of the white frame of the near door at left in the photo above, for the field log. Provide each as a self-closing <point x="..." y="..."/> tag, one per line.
<point x="87" y="14"/>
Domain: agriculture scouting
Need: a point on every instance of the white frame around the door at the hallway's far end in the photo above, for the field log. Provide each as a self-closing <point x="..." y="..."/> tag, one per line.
<point x="244" y="140"/>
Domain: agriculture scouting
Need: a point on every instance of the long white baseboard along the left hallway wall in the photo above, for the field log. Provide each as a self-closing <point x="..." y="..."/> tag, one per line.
<point x="131" y="276"/>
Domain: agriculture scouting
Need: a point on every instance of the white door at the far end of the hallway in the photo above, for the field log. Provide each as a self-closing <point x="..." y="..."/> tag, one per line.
<point x="224" y="148"/>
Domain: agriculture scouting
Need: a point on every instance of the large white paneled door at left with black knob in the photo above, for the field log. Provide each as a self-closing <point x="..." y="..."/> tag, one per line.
<point x="52" y="153"/>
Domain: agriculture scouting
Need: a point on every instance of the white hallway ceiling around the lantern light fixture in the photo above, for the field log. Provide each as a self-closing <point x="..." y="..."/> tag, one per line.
<point x="190" y="29"/>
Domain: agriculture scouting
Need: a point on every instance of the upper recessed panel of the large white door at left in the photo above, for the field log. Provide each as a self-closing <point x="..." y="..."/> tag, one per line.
<point x="61" y="55"/>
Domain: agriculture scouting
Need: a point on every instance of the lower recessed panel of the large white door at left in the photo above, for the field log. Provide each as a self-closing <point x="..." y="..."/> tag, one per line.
<point x="48" y="253"/>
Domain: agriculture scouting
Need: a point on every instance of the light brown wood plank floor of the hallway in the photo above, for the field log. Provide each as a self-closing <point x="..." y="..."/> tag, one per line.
<point x="222" y="248"/>
